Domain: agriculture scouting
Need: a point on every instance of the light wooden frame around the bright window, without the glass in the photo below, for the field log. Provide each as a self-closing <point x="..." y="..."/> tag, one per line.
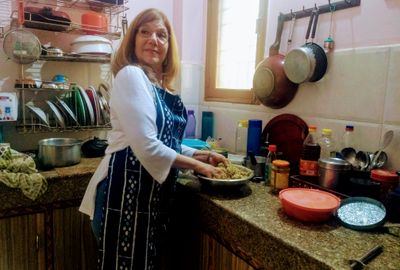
<point x="212" y="93"/>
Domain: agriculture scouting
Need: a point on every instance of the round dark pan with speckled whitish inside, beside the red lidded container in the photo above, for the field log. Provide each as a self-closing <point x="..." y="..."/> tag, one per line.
<point x="362" y="214"/>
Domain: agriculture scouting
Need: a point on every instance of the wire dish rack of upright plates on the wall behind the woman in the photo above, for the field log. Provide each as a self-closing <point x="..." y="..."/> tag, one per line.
<point x="46" y="110"/>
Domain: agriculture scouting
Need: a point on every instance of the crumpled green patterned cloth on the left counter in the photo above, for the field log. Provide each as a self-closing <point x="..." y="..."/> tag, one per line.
<point x="19" y="171"/>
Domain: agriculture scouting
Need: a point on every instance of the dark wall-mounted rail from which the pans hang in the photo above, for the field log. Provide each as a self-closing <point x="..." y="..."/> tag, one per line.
<point x="339" y="5"/>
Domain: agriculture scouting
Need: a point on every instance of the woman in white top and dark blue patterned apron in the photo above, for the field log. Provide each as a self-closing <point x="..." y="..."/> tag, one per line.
<point x="129" y="195"/>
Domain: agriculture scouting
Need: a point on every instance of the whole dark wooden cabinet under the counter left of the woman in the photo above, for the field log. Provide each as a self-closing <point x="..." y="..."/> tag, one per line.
<point x="59" y="239"/>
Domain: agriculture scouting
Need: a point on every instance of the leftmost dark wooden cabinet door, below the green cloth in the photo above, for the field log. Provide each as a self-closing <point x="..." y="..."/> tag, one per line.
<point x="22" y="242"/>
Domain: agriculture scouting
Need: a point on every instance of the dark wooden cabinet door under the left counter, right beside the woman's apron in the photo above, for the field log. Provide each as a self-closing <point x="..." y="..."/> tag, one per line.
<point x="74" y="244"/>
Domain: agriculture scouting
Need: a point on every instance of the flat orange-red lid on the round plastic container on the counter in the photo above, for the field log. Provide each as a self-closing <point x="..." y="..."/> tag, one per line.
<point x="310" y="199"/>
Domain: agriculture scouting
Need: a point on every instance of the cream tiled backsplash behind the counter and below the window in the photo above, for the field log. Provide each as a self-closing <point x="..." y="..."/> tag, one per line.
<point x="361" y="87"/>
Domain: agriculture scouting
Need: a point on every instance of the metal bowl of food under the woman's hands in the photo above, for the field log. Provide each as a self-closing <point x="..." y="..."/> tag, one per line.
<point x="232" y="175"/>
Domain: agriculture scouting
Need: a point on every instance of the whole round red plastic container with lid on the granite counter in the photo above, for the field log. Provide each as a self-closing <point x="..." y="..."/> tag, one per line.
<point x="309" y="205"/>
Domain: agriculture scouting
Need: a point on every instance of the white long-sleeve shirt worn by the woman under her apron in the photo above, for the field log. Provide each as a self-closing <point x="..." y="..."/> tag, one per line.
<point x="133" y="120"/>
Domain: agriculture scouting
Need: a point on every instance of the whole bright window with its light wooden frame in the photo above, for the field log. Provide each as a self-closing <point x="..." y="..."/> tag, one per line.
<point x="235" y="44"/>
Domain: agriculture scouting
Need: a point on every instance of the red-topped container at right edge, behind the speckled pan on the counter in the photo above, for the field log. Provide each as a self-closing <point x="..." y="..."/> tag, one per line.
<point x="389" y="181"/>
